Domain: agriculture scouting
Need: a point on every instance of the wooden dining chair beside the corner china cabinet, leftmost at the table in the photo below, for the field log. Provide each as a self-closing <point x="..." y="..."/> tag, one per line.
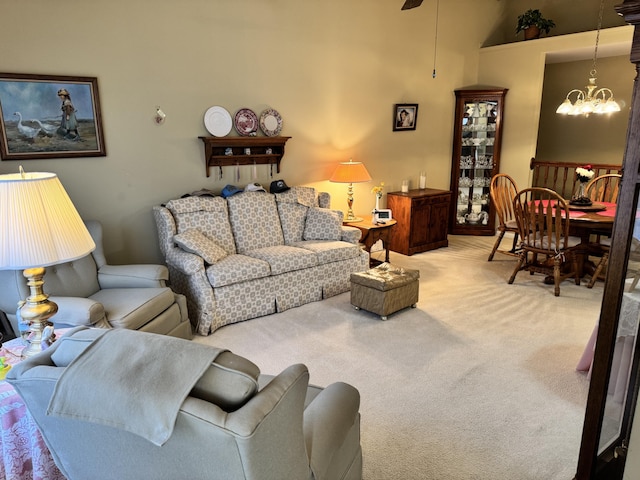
<point x="502" y="191"/>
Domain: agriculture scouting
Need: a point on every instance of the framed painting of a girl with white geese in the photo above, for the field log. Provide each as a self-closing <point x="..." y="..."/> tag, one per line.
<point x="49" y="116"/>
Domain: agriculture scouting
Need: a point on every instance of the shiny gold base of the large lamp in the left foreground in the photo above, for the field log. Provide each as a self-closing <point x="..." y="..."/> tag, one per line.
<point x="36" y="311"/>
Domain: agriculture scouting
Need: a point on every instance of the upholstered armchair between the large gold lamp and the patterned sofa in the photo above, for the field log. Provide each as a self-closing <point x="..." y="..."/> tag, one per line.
<point x="89" y="291"/>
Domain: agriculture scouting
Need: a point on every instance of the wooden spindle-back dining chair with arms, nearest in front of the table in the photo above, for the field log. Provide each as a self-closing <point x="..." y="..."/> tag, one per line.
<point x="543" y="221"/>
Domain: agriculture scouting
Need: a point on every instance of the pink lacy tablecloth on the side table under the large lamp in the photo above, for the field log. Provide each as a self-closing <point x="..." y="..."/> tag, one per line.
<point x="24" y="453"/>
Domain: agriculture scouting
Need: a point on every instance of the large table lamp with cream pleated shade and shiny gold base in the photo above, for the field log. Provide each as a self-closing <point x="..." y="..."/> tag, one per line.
<point x="39" y="227"/>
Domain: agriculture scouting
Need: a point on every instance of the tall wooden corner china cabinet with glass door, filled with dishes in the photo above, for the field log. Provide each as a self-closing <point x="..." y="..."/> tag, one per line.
<point x="476" y="158"/>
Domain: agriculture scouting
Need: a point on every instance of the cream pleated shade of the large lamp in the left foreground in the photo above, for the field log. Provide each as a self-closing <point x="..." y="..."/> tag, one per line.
<point x="39" y="225"/>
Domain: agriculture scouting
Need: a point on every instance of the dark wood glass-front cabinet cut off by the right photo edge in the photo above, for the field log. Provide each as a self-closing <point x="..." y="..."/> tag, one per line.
<point x="613" y="389"/>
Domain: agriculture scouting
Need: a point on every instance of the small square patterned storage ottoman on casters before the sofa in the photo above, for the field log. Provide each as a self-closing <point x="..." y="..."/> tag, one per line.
<point x="384" y="289"/>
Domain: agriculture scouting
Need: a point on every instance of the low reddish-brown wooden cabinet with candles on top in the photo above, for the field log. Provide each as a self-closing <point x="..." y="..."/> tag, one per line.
<point x="423" y="218"/>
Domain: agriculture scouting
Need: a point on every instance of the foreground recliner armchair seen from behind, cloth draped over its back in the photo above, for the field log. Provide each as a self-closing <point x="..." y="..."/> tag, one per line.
<point x="234" y="423"/>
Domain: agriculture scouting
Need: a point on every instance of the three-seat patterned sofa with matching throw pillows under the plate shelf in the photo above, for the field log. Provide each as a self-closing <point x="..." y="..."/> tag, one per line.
<point x="255" y="253"/>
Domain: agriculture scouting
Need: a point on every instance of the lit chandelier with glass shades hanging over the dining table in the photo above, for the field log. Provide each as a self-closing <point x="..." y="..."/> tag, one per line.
<point x="596" y="99"/>
